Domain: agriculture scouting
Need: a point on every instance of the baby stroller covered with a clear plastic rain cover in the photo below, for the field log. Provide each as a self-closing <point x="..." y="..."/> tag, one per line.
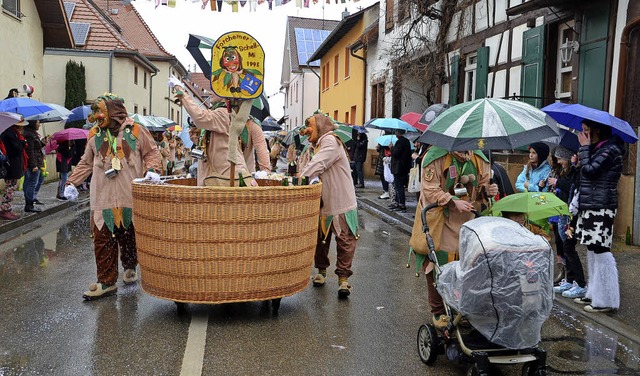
<point x="502" y="286"/>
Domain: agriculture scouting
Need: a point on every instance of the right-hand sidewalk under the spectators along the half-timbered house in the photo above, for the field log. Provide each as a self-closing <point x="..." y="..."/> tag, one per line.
<point x="624" y="321"/>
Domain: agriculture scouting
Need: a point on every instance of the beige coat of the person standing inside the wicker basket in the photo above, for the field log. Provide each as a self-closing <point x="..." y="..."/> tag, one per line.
<point x="217" y="121"/>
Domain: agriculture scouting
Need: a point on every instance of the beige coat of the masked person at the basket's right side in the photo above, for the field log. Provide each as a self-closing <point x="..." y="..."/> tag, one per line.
<point x="331" y="164"/>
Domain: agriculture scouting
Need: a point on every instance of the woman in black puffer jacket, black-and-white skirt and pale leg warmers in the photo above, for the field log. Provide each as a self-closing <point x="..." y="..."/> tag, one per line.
<point x="600" y="157"/>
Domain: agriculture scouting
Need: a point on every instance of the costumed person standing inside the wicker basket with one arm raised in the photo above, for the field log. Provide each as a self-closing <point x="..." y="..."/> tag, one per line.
<point x="214" y="140"/>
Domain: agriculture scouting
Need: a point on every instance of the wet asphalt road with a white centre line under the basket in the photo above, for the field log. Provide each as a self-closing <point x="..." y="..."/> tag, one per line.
<point x="47" y="329"/>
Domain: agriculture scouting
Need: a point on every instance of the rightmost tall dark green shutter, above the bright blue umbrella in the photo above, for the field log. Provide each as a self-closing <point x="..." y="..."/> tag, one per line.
<point x="593" y="56"/>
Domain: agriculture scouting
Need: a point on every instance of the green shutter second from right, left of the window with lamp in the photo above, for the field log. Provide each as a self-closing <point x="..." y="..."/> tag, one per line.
<point x="532" y="65"/>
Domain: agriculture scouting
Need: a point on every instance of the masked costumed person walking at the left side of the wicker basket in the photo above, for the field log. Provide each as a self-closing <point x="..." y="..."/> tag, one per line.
<point x="117" y="151"/>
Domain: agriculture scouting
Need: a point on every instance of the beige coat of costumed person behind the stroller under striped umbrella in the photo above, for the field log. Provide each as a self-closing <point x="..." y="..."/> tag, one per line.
<point x="433" y="190"/>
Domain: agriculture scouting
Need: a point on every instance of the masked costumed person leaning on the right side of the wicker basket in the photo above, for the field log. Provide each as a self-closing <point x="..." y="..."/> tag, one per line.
<point x="338" y="214"/>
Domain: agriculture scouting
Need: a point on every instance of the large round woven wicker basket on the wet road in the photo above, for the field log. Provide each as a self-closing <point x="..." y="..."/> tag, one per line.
<point x="224" y="244"/>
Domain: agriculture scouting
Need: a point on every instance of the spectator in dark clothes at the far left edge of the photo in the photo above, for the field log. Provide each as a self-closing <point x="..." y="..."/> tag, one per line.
<point x="13" y="147"/>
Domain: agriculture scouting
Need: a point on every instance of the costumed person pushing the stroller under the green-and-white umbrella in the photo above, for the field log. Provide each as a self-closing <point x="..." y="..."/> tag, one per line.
<point x="458" y="182"/>
